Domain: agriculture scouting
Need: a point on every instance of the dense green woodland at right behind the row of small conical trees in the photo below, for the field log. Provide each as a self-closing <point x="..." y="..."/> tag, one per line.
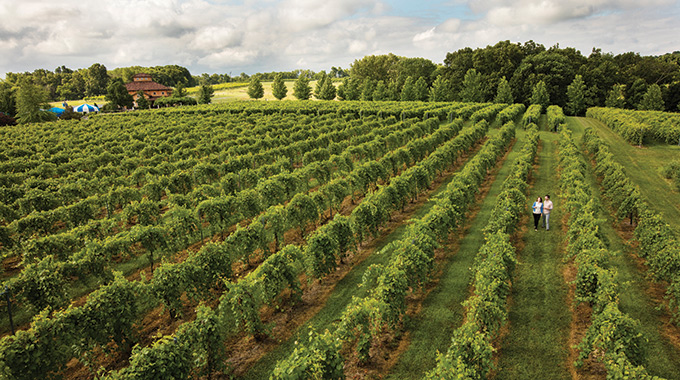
<point x="627" y="75"/>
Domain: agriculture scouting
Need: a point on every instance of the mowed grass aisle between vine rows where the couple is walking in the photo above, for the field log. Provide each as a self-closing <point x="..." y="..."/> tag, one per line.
<point x="536" y="346"/>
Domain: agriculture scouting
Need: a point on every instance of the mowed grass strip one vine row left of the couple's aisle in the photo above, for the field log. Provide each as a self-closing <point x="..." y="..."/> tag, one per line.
<point x="442" y="310"/>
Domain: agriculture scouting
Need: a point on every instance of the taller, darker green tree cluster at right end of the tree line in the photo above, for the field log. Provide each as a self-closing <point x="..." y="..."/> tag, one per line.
<point x="620" y="80"/>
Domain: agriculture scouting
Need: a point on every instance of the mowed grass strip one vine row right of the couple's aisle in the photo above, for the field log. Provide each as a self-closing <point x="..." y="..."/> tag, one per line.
<point x="663" y="357"/>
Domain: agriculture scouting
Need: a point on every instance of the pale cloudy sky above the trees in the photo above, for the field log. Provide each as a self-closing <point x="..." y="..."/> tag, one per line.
<point x="231" y="37"/>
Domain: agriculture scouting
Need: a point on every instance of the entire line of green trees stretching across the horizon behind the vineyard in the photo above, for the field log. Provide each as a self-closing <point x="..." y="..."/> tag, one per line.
<point x="504" y="72"/>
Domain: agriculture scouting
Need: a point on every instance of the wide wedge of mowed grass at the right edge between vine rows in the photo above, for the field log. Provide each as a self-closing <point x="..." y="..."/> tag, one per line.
<point x="642" y="166"/>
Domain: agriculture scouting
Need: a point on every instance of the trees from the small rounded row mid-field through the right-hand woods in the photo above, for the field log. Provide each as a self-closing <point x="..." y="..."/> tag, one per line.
<point x="507" y="72"/>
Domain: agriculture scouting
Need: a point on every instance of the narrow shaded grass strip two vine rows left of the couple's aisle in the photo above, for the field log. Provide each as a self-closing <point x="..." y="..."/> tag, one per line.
<point x="341" y="296"/>
